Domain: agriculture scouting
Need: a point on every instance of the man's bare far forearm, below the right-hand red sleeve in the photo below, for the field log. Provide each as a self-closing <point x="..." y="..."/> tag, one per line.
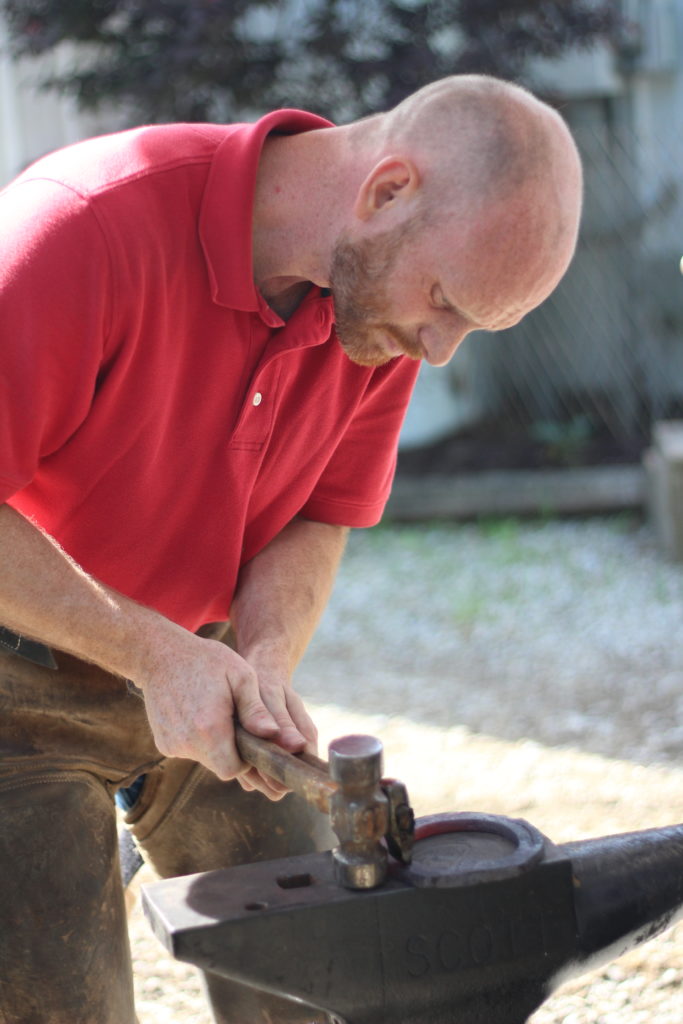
<point x="283" y="592"/>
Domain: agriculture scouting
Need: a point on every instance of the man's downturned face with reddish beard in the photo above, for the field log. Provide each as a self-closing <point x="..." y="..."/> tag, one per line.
<point x="419" y="289"/>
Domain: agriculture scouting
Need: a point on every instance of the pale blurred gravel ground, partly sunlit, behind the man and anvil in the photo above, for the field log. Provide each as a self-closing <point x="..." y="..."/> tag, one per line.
<point x="523" y="669"/>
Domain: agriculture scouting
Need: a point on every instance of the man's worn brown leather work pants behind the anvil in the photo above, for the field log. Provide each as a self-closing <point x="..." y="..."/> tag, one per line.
<point x="69" y="740"/>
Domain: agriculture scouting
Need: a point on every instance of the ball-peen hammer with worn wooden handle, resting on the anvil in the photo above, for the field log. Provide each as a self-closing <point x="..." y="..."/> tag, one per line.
<point x="368" y="814"/>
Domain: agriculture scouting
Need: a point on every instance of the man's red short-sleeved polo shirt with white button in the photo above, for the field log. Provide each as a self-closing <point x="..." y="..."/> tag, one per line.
<point x="156" y="416"/>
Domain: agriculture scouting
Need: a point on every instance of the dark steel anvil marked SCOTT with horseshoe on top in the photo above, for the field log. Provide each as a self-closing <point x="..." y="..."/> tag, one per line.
<point x="486" y="923"/>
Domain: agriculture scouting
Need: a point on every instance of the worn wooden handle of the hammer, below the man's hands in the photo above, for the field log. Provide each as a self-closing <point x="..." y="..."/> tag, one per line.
<point x="304" y="774"/>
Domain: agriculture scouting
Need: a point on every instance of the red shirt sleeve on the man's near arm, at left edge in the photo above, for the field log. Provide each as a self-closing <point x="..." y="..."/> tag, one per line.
<point x="54" y="274"/>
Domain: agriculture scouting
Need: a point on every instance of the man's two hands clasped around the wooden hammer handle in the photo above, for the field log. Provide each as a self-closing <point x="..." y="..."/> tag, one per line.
<point x="197" y="692"/>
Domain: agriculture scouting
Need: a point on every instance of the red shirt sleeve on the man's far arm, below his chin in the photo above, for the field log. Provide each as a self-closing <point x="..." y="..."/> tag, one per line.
<point x="356" y="485"/>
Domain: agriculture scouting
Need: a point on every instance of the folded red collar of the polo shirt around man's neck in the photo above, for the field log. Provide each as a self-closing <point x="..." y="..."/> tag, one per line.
<point x="226" y="219"/>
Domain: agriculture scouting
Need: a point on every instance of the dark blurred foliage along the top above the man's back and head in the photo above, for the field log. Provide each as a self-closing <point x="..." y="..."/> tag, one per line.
<point x="211" y="60"/>
